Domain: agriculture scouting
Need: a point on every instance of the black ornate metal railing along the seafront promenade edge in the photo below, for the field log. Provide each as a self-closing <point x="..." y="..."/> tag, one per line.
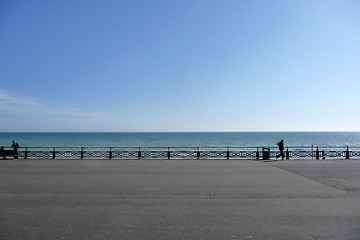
<point x="256" y="153"/>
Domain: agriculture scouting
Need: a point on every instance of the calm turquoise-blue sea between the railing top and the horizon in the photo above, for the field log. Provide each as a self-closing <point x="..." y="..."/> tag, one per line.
<point x="181" y="139"/>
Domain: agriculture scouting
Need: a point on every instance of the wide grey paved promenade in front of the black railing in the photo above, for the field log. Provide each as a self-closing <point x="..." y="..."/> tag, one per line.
<point x="179" y="199"/>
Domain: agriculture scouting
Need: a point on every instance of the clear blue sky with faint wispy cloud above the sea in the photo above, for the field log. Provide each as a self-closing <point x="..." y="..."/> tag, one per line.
<point x="172" y="66"/>
